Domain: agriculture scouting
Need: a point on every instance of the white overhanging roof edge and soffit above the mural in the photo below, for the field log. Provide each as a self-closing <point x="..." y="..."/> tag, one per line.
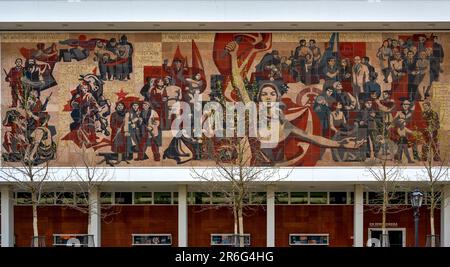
<point x="198" y="15"/>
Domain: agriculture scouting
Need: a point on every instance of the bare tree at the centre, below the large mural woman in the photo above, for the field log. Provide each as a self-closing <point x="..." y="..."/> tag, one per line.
<point x="234" y="177"/>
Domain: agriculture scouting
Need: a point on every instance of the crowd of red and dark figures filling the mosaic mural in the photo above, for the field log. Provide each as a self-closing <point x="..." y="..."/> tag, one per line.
<point x="331" y="97"/>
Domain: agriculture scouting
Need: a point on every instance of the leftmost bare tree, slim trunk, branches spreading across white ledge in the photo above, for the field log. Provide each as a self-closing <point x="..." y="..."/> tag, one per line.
<point x="30" y="178"/>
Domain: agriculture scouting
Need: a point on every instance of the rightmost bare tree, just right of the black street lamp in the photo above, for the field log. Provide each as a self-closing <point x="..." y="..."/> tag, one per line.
<point x="435" y="160"/>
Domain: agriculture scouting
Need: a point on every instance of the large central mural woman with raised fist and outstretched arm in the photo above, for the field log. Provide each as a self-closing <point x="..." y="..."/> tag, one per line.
<point x="298" y="141"/>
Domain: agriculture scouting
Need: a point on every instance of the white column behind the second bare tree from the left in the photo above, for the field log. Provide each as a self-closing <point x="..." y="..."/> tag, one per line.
<point x="95" y="216"/>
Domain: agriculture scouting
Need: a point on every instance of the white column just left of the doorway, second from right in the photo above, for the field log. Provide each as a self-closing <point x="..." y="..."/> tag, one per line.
<point x="358" y="217"/>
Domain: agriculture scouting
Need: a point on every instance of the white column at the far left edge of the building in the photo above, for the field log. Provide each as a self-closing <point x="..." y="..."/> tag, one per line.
<point x="7" y="214"/>
